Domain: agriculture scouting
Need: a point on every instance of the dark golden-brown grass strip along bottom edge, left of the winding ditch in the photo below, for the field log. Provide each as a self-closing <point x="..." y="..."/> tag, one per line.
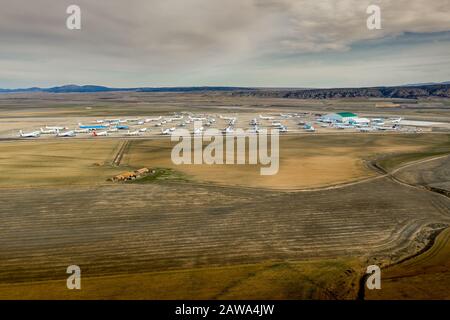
<point x="327" y="279"/>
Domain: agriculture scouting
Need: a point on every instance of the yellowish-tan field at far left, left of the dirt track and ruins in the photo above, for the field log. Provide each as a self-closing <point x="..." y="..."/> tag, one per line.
<point x="67" y="162"/>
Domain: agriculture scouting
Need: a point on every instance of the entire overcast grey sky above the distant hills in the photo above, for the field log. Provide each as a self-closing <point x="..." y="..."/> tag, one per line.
<point x="273" y="43"/>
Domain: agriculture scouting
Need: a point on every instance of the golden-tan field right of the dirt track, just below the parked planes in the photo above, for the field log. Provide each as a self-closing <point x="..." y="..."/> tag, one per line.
<point x="305" y="162"/>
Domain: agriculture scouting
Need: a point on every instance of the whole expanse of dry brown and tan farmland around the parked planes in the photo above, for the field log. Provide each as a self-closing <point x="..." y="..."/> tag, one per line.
<point x="338" y="203"/>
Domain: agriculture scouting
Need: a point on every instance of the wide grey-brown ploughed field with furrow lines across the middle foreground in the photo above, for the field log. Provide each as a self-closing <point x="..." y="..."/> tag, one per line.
<point x="132" y="229"/>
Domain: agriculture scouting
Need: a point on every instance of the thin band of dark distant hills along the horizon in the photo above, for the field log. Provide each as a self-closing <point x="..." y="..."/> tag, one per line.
<point x="412" y="91"/>
